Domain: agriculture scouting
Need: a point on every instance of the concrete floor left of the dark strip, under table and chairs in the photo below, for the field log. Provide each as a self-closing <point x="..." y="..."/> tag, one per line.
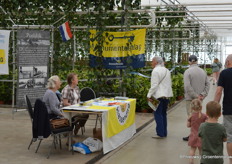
<point x="15" y="135"/>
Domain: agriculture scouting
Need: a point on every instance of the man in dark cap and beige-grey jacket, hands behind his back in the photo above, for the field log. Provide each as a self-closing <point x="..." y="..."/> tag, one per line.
<point x="196" y="84"/>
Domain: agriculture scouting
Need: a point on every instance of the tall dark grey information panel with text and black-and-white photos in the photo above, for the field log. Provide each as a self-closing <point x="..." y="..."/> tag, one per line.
<point x="32" y="57"/>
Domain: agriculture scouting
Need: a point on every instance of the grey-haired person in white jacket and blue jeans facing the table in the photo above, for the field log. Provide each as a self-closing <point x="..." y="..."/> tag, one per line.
<point x="161" y="89"/>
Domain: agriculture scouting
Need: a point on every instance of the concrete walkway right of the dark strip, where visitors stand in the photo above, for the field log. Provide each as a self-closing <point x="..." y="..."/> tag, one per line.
<point x="173" y="150"/>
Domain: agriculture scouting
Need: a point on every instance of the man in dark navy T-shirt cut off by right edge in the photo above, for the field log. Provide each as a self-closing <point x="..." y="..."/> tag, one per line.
<point x="225" y="85"/>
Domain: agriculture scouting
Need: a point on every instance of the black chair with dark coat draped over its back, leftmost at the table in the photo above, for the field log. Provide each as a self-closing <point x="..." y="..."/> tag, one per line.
<point x="39" y="120"/>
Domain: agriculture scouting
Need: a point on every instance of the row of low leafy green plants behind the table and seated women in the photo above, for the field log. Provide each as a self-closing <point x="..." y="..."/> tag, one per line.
<point x="135" y="86"/>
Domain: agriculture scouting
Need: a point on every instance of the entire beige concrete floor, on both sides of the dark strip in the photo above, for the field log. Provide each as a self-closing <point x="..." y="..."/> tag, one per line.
<point x="15" y="135"/>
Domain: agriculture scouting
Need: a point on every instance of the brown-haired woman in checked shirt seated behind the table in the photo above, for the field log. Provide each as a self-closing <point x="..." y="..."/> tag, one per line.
<point x="71" y="96"/>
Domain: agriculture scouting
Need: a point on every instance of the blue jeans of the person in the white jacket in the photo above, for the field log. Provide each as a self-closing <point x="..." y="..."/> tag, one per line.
<point x="160" y="116"/>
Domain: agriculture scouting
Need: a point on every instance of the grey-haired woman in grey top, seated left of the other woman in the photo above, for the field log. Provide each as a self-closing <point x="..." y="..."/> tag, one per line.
<point x="50" y="98"/>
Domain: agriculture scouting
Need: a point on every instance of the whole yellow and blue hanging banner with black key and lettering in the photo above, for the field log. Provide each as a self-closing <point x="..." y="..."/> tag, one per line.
<point x="119" y="50"/>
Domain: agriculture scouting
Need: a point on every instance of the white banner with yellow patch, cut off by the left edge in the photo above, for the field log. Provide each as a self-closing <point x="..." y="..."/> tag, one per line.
<point x="4" y="46"/>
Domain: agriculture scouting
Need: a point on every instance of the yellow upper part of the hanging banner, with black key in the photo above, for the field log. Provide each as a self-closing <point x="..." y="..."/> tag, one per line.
<point x="120" y="44"/>
